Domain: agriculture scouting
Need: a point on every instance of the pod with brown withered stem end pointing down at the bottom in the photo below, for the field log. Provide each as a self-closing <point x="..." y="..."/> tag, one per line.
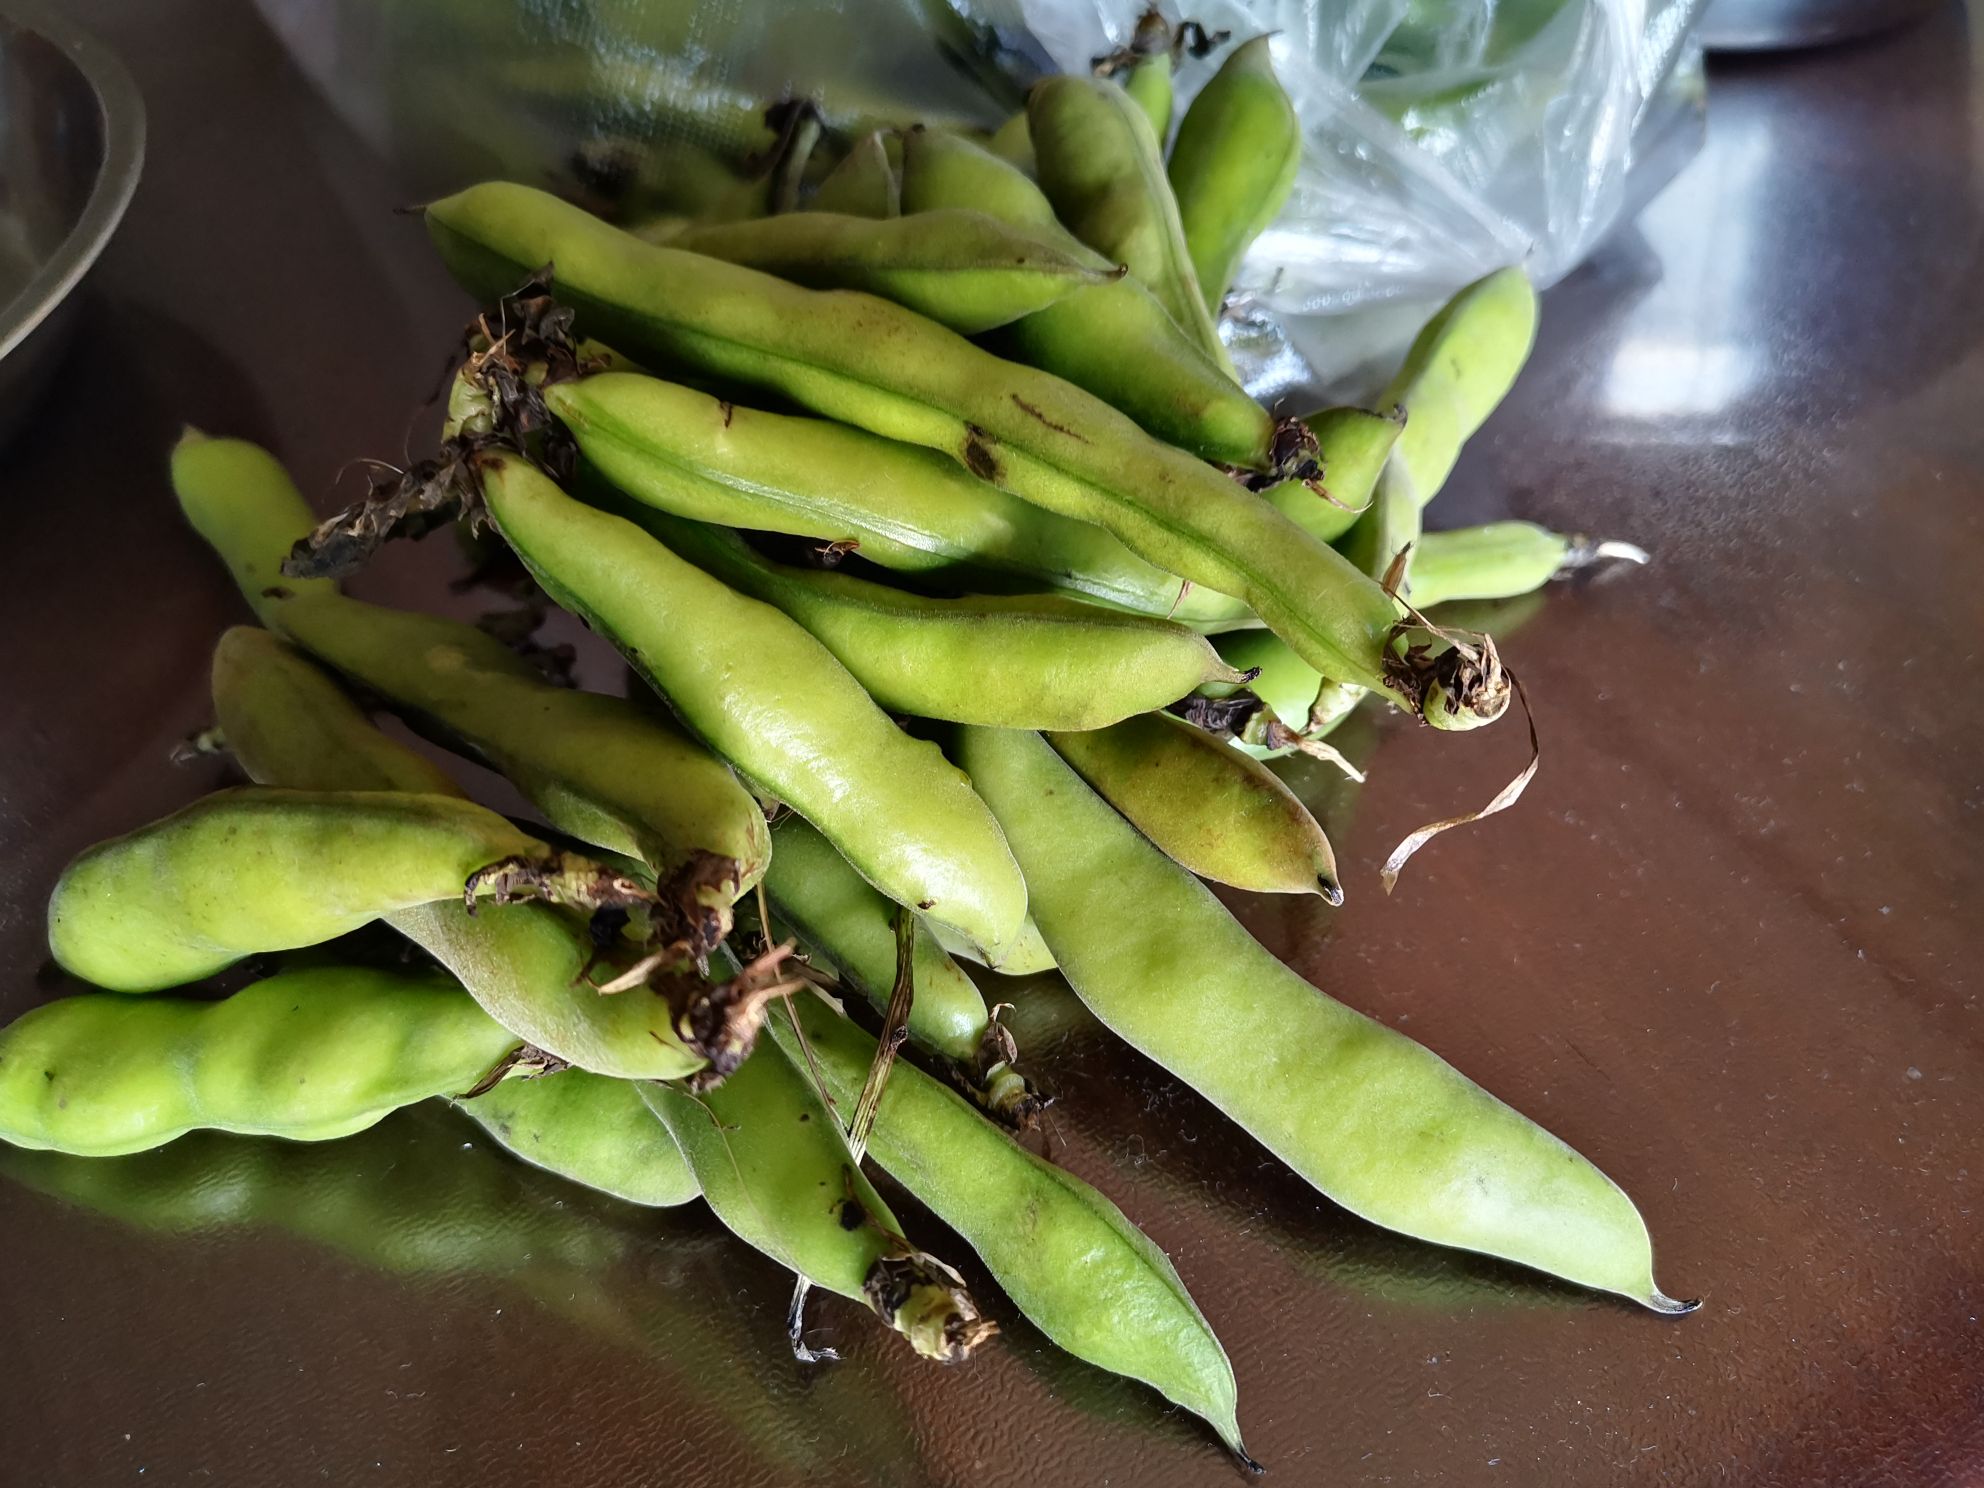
<point x="775" y="1168"/>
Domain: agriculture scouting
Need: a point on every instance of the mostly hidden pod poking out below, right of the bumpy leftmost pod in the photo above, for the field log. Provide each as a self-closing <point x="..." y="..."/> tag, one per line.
<point x="590" y="1130"/>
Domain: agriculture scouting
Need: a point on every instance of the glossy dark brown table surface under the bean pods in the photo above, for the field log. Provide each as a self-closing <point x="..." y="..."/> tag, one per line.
<point x="1725" y="947"/>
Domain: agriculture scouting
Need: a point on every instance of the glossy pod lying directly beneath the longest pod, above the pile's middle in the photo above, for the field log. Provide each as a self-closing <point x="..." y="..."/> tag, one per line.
<point x="902" y="507"/>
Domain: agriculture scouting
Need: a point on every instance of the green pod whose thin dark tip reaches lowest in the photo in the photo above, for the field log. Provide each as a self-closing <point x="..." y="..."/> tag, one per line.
<point x="1068" y="1259"/>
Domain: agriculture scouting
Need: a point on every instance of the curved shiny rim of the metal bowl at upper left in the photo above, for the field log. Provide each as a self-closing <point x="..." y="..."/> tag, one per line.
<point x="124" y="156"/>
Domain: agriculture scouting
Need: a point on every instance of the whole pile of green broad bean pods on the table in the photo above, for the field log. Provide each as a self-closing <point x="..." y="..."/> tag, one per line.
<point x="971" y="602"/>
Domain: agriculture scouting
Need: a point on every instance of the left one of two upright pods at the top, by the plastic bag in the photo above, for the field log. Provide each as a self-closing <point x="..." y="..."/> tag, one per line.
<point x="1104" y="172"/>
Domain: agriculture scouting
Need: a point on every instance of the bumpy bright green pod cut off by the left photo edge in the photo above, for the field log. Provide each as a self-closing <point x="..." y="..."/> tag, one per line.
<point x="307" y="1054"/>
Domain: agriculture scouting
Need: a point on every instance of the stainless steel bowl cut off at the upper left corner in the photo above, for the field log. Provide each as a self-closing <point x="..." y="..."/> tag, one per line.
<point x="72" y="140"/>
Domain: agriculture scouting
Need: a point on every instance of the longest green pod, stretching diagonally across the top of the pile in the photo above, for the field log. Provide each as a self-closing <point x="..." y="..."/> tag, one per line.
<point x="898" y="374"/>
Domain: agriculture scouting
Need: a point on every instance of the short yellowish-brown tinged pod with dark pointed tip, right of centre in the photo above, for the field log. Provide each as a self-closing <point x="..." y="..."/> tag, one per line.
<point x="1211" y="808"/>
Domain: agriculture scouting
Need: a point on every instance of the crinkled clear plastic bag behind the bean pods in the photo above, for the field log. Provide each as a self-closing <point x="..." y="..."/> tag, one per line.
<point x="1443" y="138"/>
